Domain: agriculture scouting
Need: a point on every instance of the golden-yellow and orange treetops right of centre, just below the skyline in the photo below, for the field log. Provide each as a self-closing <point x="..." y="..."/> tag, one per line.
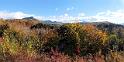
<point x="89" y="32"/>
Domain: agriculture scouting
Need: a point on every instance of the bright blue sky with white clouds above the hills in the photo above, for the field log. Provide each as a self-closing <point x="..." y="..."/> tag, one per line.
<point x="52" y="9"/>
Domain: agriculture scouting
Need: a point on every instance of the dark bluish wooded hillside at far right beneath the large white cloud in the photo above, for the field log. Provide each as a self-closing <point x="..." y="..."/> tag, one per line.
<point x="111" y="28"/>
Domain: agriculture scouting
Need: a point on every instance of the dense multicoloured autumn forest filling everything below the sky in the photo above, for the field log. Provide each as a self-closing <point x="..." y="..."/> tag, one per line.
<point x="31" y="40"/>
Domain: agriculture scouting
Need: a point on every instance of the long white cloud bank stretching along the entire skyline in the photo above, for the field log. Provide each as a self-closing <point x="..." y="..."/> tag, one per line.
<point x="110" y="16"/>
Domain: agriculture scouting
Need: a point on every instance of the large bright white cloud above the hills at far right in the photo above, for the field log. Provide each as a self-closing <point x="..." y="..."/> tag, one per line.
<point x="111" y="16"/>
